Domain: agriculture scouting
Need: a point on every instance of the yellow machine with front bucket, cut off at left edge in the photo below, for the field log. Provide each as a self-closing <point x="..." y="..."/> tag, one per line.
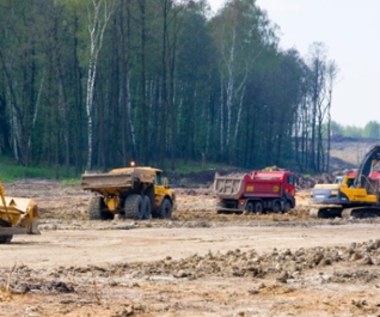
<point x="17" y="216"/>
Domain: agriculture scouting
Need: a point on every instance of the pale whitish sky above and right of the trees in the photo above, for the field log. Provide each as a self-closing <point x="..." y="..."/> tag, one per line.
<point x="350" y="31"/>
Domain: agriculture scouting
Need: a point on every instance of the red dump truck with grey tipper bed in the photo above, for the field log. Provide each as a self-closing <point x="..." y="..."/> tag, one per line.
<point x="256" y="192"/>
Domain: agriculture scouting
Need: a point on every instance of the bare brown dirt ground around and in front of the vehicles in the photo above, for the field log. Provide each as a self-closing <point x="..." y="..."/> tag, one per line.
<point x="200" y="263"/>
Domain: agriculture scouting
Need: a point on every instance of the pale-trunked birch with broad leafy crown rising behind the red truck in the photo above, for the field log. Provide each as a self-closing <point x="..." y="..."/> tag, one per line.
<point x="241" y="32"/>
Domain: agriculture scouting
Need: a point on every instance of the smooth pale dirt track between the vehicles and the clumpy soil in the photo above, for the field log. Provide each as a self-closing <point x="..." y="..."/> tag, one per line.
<point x="100" y="247"/>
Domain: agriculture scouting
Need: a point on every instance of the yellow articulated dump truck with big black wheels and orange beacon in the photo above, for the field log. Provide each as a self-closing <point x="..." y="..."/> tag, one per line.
<point x="132" y="192"/>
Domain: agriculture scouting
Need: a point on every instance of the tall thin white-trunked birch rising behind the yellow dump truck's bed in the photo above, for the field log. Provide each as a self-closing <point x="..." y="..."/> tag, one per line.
<point x="99" y="14"/>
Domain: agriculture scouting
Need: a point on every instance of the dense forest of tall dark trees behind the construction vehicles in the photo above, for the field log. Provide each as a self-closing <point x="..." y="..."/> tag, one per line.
<point x="98" y="83"/>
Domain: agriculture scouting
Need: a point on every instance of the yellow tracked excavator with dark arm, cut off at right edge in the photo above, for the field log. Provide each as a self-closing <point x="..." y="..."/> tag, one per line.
<point x="355" y="194"/>
